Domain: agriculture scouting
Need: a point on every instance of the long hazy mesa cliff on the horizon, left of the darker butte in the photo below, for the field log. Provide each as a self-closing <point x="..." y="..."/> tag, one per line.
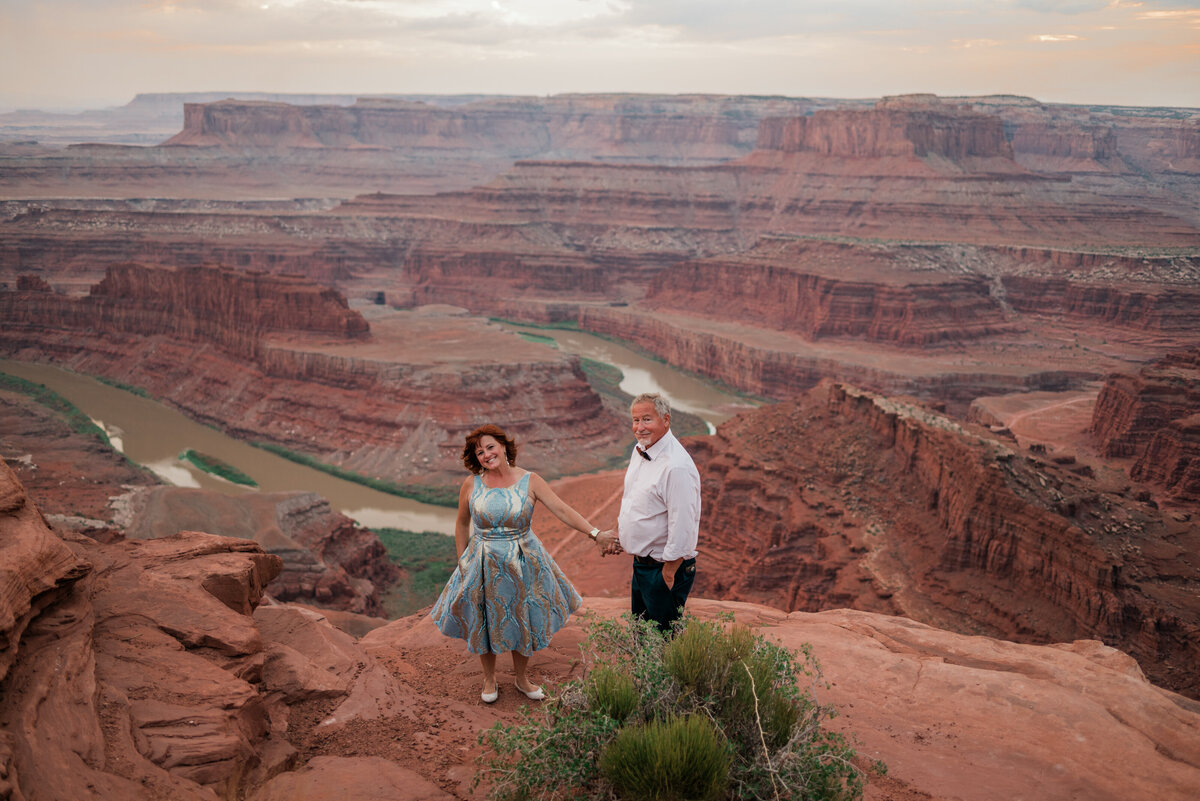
<point x="698" y="128"/>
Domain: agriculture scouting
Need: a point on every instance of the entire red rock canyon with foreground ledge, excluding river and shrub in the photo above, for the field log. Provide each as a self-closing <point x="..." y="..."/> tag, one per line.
<point x="973" y="327"/>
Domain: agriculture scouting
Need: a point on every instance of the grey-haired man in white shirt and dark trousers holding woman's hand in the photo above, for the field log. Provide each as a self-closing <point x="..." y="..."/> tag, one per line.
<point x="659" y="521"/>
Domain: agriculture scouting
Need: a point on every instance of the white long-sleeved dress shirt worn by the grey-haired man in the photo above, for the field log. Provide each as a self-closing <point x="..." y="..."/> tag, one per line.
<point x="661" y="505"/>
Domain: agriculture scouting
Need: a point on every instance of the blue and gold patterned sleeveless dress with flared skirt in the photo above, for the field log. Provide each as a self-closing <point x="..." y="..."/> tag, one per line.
<point x="507" y="594"/>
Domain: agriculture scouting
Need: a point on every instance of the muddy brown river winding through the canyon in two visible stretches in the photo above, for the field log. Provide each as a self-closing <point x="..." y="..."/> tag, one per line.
<point x="154" y="435"/>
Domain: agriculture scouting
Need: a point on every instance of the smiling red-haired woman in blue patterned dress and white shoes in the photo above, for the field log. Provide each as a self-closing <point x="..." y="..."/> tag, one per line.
<point x="506" y="594"/>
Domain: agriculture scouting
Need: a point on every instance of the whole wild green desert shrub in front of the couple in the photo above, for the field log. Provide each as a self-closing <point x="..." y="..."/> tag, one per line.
<point x="755" y="696"/>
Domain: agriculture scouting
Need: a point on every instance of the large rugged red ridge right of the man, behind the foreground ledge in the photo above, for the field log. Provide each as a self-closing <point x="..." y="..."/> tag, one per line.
<point x="887" y="507"/>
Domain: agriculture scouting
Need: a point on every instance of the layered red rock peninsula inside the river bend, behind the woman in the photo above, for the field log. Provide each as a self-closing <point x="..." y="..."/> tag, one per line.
<point x="395" y="405"/>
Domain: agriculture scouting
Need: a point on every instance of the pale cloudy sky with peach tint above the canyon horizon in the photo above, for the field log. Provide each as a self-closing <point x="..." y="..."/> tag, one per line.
<point x="76" y="55"/>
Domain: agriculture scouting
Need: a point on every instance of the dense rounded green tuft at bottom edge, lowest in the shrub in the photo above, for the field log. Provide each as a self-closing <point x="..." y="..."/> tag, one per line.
<point x="682" y="760"/>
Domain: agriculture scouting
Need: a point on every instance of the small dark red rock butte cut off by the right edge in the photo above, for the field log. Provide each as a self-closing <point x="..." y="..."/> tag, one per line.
<point x="1132" y="409"/>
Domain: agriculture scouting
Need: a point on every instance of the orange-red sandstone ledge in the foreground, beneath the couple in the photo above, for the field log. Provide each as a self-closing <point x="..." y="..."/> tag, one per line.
<point x="165" y="673"/>
